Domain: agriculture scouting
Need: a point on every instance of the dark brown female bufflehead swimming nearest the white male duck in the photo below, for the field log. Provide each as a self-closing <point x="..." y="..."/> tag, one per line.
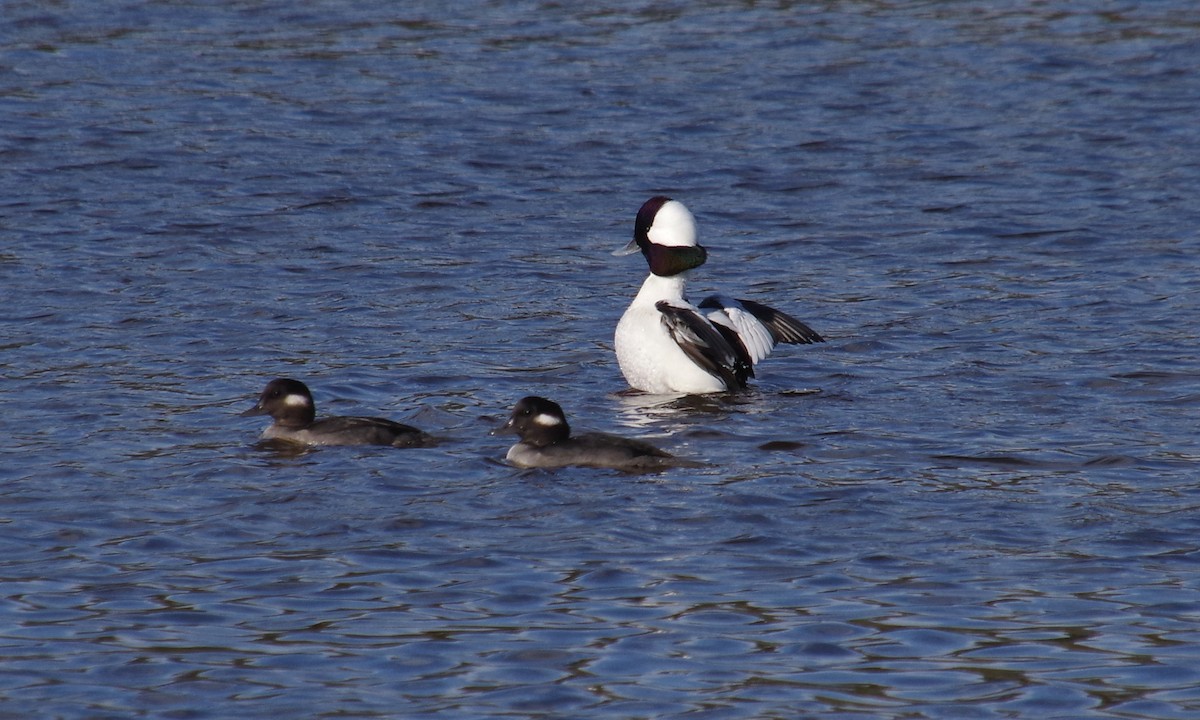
<point x="547" y="442"/>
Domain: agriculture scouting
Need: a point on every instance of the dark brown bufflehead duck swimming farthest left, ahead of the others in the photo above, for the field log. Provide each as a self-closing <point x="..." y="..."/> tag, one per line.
<point x="290" y="404"/>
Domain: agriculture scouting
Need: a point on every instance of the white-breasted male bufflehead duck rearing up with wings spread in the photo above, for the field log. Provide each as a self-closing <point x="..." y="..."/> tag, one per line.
<point x="668" y="345"/>
